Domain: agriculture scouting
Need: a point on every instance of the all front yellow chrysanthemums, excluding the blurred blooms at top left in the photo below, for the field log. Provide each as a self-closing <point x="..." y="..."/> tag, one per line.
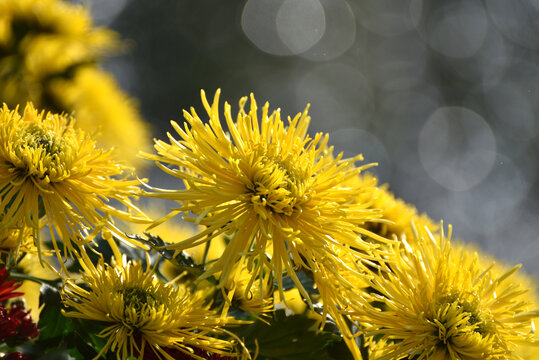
<point x="269" y="202"/>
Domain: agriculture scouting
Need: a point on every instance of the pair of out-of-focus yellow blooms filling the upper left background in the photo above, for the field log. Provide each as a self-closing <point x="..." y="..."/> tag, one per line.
<point x="48" y="52"/>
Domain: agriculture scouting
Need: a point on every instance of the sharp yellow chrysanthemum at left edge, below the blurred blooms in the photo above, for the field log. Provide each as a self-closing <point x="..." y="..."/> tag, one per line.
<point x="52" y="174"/>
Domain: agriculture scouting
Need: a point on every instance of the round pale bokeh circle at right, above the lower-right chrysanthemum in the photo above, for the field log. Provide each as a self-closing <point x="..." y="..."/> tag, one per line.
<point x="457" y="148"/>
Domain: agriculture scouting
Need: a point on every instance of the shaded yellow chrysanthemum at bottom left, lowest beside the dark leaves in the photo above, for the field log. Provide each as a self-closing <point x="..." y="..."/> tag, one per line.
<point x="142" y="314"/>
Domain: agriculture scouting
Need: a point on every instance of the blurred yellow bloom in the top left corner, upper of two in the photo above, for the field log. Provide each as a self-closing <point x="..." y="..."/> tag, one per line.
<point x="41" y="39"/>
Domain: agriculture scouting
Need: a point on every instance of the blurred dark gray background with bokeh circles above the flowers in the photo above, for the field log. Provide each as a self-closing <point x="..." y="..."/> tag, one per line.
<point x="442" y="94"/>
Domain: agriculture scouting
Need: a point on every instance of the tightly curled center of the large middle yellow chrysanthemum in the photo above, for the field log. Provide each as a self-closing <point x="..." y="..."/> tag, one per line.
<point x="275" y="186"/>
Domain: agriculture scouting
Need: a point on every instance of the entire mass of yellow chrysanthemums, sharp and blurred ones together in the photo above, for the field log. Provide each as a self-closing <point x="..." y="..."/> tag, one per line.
<point x="276" y="219"/>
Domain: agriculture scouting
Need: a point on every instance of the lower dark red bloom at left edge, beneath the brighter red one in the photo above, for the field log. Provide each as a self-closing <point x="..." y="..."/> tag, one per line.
<point x="16" y="325"/>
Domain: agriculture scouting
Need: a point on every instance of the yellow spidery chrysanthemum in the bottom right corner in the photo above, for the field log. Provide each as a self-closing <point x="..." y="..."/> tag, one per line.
<point x="435" y="302"/>
